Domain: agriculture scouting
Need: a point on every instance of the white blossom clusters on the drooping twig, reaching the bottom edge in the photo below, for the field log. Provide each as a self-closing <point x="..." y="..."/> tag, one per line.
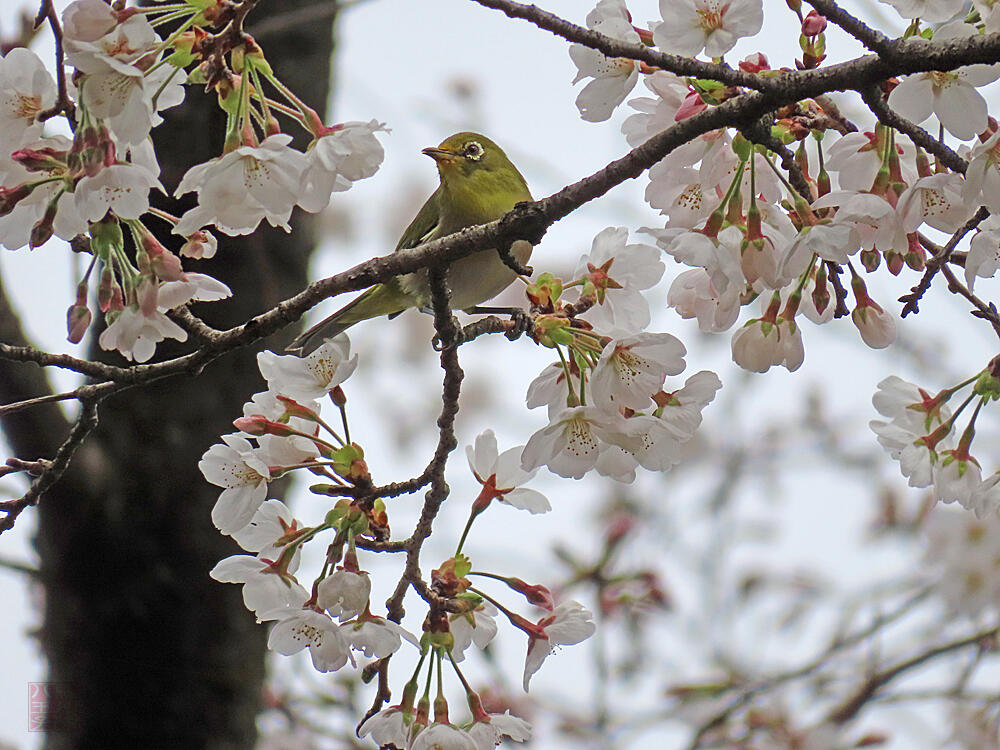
<point x="282" y="430"/>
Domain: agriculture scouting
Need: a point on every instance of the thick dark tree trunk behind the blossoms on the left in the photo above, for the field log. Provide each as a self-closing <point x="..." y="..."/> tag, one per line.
<point x="144" y="649"/>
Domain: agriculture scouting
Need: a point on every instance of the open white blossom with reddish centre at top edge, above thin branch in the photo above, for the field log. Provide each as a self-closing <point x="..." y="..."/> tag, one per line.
<point x="691" y="26"/>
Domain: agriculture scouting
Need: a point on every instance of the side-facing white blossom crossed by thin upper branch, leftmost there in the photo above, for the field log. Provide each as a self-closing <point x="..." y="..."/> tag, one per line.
<point x="613" y="78"/>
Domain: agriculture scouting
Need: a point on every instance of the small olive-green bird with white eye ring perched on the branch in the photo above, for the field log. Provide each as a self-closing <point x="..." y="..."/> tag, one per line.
<point x="478" y="185"/>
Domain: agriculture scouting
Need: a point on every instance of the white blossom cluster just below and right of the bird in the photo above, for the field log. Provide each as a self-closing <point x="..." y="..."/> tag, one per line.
<point x="606" y="404"/>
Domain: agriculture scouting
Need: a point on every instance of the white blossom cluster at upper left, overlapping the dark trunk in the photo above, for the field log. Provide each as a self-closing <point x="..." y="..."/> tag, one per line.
<point x="96" y="184"/>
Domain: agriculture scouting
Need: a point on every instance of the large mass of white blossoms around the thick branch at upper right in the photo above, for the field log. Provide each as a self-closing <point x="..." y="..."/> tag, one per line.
<point x="745" y="230"/>
